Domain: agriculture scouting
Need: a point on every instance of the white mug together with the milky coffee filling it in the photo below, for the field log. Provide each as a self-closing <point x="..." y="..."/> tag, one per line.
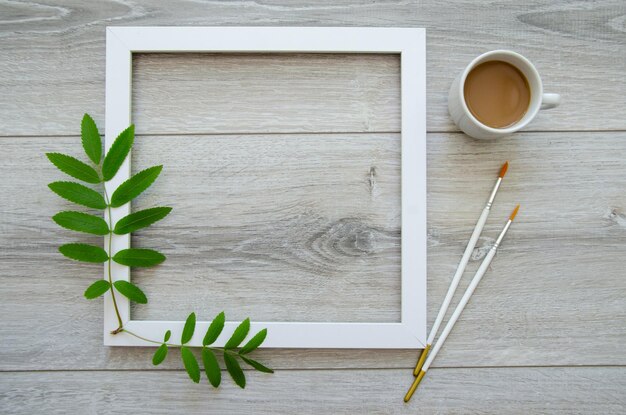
<point x="498" y="93"/>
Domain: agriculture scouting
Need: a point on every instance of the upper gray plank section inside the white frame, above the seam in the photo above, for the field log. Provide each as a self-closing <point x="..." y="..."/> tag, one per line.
<point x="214" y="93"/>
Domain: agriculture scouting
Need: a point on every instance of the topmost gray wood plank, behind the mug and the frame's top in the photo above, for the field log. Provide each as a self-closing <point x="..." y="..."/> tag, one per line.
<point x="52" y="61"/>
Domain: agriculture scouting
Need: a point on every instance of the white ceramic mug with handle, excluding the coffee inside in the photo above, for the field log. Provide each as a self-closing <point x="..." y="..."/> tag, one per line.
<point x="464" y="119"/>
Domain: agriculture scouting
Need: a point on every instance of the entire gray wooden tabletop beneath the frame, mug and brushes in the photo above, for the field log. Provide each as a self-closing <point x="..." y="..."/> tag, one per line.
<point x="283" y="172"/>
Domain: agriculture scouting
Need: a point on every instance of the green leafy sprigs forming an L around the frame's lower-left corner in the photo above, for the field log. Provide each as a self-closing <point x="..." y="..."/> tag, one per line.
<point x="99" y="169"/>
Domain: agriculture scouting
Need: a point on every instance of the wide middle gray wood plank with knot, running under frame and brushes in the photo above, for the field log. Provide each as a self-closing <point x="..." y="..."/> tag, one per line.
<point x="555" y="288"/>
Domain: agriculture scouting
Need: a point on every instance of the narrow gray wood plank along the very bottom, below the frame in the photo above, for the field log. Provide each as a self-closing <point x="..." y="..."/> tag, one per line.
<point x="480" y="391"/>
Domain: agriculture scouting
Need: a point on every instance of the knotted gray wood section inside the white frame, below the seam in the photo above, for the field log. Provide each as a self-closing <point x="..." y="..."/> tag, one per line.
<point x="281" y="228"/>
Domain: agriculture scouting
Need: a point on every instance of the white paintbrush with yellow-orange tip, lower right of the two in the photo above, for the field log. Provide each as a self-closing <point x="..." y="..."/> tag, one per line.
<point x="459" y="308"/>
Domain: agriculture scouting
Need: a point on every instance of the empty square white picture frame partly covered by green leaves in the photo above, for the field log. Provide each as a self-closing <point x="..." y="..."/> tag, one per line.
<point x="410" y="332"/>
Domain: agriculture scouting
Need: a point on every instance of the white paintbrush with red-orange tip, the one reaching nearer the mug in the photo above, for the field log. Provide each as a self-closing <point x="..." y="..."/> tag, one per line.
<point x="460" y="269"/>
